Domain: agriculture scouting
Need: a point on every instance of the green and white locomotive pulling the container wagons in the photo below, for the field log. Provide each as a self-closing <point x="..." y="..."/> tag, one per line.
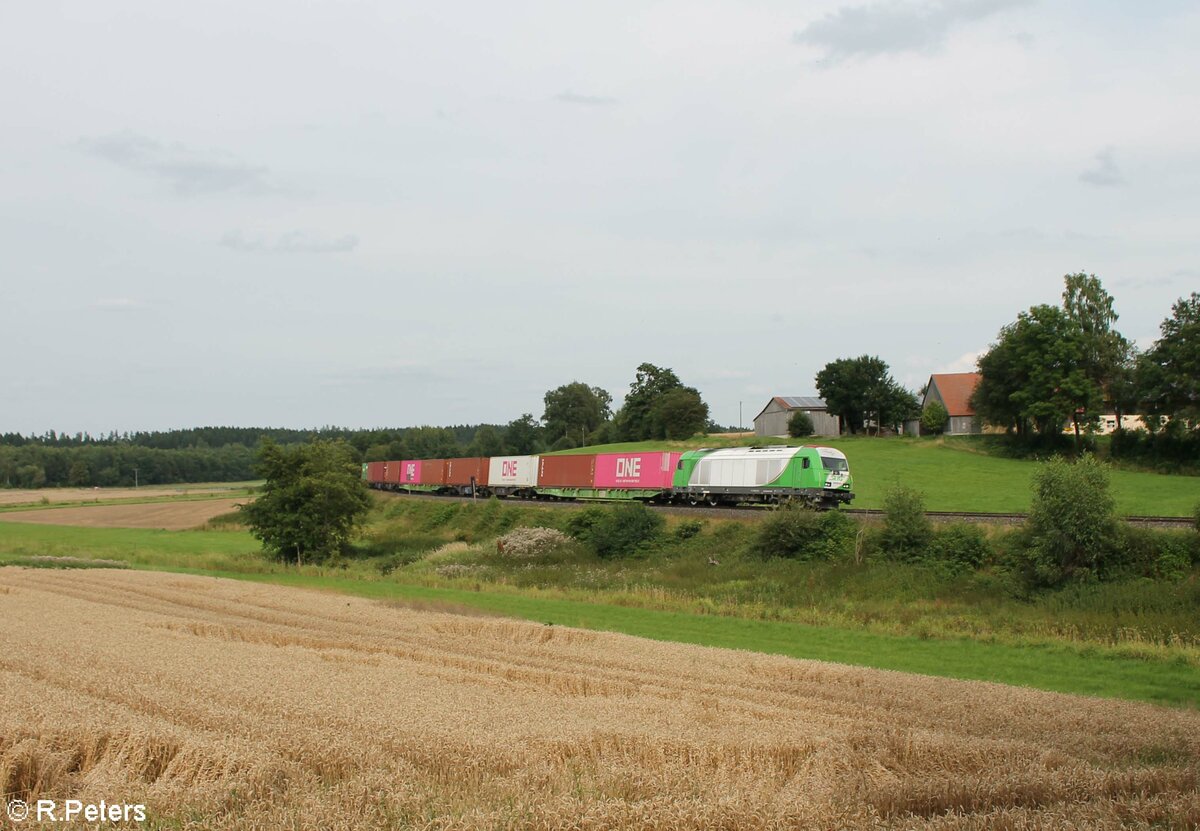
<point x="815" y="476"/>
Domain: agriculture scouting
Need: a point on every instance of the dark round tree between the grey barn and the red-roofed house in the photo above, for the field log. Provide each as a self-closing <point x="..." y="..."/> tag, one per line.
<point x="862" y="388"/>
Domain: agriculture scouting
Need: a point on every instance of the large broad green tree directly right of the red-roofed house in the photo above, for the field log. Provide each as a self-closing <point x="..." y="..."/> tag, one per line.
<point x="1035" y="374"/>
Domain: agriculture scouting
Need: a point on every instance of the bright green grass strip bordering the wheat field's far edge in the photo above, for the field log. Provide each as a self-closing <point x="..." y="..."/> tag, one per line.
<point x="1156" y="675"/>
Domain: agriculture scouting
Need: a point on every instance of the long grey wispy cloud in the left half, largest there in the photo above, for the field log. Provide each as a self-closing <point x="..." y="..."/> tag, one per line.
<point x="187" y="172"/>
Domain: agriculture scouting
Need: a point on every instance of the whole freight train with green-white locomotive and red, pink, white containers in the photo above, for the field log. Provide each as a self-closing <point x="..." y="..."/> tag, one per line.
<point x="814" y="476"/>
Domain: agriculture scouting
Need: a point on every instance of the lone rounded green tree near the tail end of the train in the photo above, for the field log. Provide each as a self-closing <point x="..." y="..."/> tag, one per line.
<point x="313" y="501"/>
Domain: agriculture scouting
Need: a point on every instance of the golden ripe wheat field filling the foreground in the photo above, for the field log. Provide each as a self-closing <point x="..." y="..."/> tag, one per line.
<point x="231" y="706"/>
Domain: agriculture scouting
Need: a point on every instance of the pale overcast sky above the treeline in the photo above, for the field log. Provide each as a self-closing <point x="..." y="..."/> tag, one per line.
<point x="389" y="214"/>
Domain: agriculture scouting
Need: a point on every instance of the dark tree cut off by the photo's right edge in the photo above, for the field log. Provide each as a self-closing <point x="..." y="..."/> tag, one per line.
<point x="1169" y="374"/>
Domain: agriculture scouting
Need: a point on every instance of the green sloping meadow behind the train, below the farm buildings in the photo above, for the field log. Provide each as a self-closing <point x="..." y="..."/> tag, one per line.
<point x="957" y="476"/>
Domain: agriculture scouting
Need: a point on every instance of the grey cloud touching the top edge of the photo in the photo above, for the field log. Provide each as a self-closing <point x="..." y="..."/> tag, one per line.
<point x="890" y="28"/>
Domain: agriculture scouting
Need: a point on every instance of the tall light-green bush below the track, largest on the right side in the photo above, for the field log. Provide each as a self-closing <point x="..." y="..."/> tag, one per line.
<point x="1072" y="529"/>
